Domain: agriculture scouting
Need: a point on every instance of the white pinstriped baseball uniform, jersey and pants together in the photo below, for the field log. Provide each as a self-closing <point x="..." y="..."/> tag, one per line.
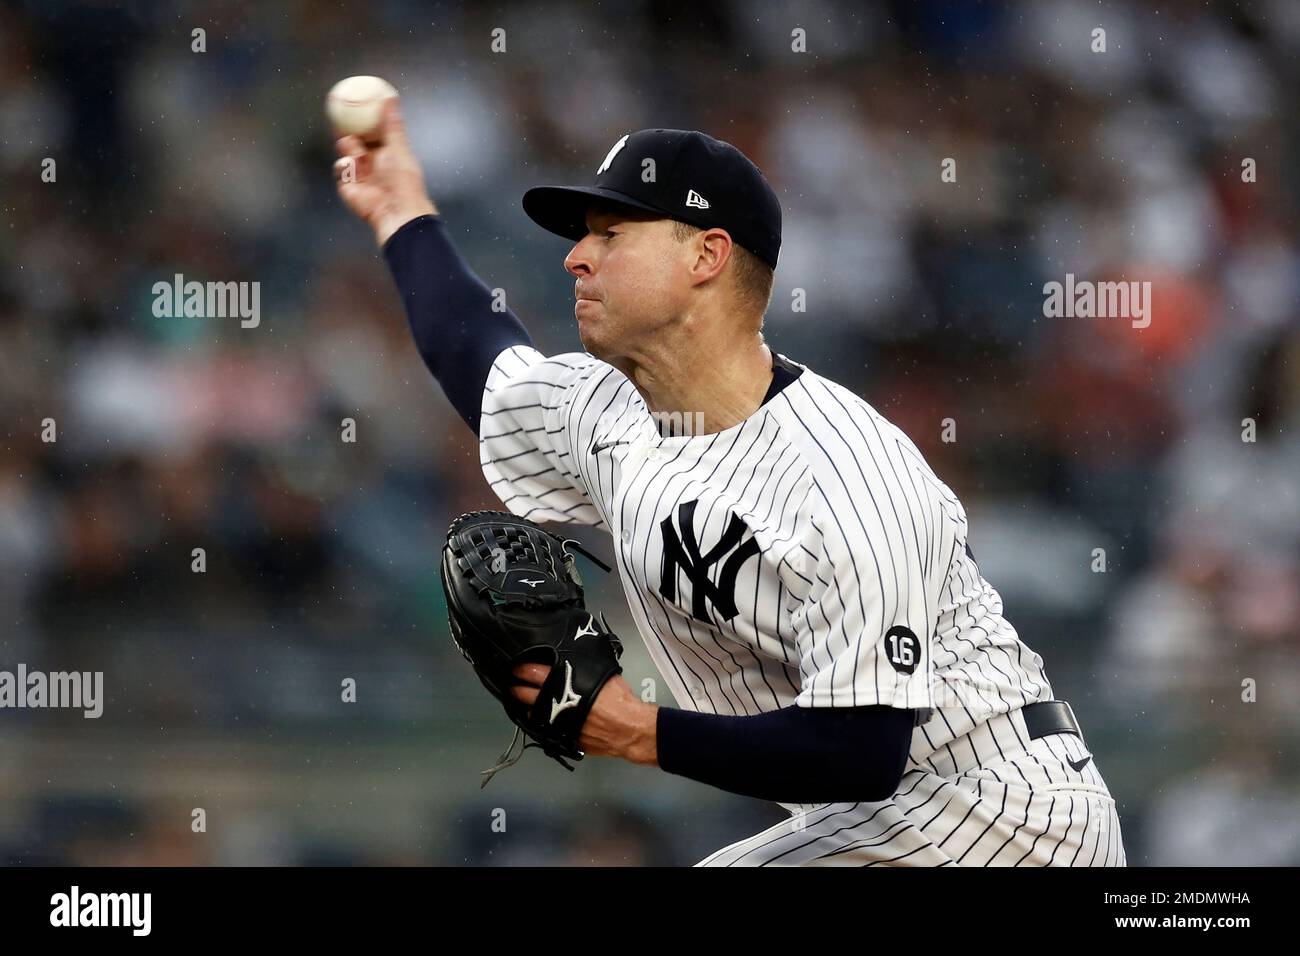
<point x="809" y="556"/>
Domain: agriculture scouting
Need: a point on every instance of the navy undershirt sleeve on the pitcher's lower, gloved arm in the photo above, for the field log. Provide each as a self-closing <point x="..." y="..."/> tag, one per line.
<point x="791" y="756"/>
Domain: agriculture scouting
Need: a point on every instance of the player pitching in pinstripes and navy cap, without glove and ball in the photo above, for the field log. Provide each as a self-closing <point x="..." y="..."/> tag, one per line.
<point x="801" y="578"/>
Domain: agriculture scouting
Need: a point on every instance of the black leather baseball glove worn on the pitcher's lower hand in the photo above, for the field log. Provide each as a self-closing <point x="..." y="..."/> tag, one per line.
<point x="514" y="596"/>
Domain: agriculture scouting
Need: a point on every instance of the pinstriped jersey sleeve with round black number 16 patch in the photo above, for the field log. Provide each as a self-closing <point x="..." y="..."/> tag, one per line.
<point x="866" y="630"/>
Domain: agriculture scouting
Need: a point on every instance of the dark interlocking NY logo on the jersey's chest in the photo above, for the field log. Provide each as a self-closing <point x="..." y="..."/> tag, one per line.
<point x="683" y="555"/>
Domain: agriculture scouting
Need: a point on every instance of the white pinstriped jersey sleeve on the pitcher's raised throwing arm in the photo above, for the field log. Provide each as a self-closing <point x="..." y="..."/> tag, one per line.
<point x="526" y="442"/>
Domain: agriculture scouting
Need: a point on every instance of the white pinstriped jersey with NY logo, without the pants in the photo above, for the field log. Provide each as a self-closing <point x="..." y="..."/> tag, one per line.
<point x="807" y="556"/>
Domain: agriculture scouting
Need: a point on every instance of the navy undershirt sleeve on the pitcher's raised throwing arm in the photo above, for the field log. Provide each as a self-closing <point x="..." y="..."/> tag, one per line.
<point x="450" y="313"/>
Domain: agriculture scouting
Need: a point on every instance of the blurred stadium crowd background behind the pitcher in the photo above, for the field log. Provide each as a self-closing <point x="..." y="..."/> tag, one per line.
<point x="223" y="690"/>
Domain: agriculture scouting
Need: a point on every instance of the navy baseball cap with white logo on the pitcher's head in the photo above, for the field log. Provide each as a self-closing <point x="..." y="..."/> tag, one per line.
<point x="694" y="179"/>
